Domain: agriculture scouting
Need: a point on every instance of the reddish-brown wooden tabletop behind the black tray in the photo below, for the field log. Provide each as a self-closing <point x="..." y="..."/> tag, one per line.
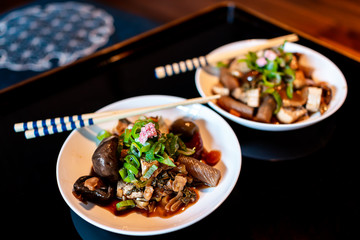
<point x="334" y="23"/>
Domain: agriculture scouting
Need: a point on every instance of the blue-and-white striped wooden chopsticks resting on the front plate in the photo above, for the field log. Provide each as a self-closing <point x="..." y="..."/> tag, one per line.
<point x="50" y="126"/>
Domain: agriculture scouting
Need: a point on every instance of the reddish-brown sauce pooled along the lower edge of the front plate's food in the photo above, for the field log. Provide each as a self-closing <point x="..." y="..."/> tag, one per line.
<point x="158" y="212"/>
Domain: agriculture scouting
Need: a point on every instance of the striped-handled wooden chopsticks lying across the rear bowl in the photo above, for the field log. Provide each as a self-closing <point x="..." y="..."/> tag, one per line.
<point x="212" y="59"/>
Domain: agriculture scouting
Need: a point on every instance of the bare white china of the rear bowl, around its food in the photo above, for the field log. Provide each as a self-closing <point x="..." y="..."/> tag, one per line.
<point x="324" y="70"/>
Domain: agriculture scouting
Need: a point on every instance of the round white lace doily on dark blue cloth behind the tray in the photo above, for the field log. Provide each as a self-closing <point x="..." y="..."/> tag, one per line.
<point x="38" y="38"/>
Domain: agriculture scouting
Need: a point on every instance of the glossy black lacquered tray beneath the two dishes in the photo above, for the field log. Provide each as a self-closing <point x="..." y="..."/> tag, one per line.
<point x="302" y="190"/>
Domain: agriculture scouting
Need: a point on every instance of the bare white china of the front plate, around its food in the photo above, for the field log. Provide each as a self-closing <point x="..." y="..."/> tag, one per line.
<point x="75" y="160"/>
